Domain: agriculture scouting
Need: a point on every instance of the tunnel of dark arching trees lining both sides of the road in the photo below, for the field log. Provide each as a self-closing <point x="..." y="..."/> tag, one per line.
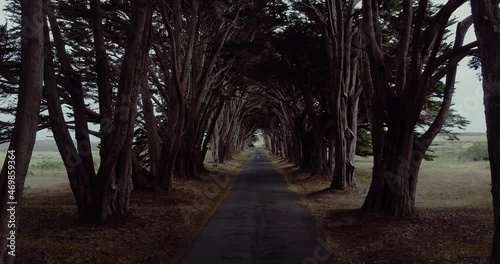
<point x="160" y="84"/>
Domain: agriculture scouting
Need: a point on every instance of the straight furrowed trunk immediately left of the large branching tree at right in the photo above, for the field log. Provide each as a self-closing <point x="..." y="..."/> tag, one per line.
<point x="342" y="59"/>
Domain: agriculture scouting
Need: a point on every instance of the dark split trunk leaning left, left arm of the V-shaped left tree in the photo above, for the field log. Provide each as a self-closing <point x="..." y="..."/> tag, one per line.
<point x="78" y="159"/>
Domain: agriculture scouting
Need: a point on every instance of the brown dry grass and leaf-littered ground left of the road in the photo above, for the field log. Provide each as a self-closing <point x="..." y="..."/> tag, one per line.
<point x="160" y="228"/>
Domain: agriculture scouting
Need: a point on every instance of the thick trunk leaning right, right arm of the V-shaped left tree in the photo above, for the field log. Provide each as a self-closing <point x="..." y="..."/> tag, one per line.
<point x="115" y="181"/>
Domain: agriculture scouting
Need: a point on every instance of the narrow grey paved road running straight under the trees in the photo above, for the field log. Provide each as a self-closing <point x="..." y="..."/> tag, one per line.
<point x="259" y="222"/>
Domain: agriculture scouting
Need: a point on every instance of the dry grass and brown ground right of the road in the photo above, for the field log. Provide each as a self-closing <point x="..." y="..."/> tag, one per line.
<point x="454" y="222"/>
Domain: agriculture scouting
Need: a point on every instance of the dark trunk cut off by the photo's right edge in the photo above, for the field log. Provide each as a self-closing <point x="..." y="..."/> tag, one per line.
<point x="486" y="15"/>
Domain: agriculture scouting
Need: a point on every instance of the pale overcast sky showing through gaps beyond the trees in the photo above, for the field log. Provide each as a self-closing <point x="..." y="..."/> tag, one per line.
<point x="468" y="97"/>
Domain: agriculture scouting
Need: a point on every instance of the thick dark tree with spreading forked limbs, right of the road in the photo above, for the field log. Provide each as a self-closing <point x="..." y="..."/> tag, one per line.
<point x="394" y="110"/>
